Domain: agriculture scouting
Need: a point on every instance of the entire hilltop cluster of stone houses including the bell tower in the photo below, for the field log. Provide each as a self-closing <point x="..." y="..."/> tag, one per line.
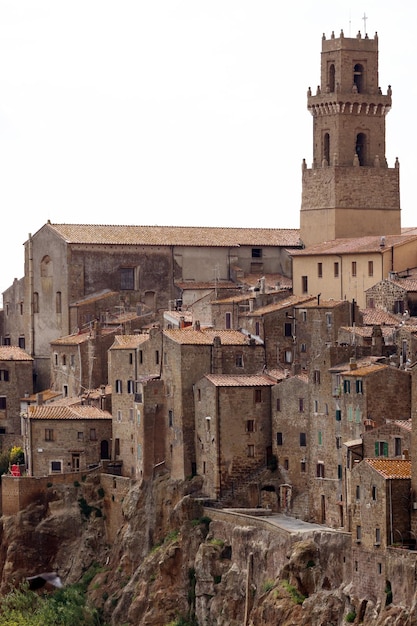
<point x="278" y="365"/>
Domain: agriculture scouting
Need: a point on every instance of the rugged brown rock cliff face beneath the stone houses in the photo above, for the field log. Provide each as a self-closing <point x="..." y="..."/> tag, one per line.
<point x="170" y="561"/>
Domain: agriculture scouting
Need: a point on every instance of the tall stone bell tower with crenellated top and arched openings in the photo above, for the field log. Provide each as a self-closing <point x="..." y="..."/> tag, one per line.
<point x="349" y="191"/>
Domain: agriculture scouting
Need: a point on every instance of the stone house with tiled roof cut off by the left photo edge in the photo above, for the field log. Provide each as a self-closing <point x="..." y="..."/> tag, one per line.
<point x="16" y="383"/>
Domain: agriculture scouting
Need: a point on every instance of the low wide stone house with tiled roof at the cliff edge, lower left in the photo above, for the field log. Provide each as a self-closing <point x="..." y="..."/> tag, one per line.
<point x="61" y="439"/>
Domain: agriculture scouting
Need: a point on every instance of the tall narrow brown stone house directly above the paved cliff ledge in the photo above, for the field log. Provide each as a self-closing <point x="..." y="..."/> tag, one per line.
<point x="233" y="433"/>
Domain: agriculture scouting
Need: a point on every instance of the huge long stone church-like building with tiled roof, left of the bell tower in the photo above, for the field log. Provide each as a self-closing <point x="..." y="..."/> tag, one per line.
<point x="73" y="272"/>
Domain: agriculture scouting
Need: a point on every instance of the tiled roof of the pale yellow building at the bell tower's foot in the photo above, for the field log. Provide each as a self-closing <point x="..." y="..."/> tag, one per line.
<point x="356" y="245"/>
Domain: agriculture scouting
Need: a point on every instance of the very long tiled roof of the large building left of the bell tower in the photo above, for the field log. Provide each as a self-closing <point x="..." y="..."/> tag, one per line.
<point x="101" y="234"/>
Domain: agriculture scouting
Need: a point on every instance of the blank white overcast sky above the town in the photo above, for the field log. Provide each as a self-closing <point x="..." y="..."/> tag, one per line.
<point x="176" y="112"/>
